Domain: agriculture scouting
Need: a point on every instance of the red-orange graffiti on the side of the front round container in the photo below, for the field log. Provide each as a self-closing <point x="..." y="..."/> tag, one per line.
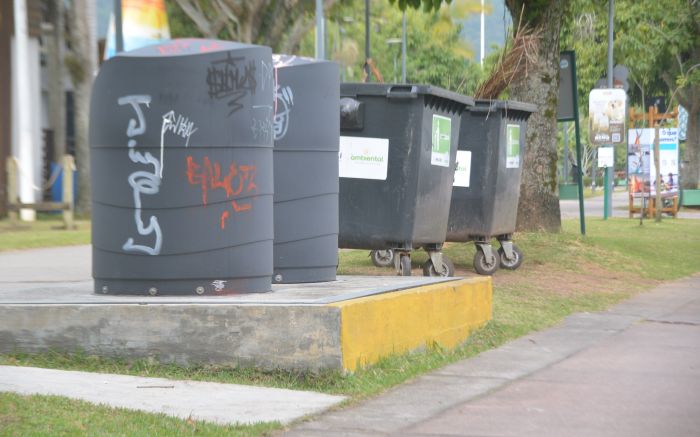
<point x="239" y="181"/>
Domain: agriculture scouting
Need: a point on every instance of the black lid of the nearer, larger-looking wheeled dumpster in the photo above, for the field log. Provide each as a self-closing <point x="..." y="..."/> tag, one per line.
<point x="401" y="91"/>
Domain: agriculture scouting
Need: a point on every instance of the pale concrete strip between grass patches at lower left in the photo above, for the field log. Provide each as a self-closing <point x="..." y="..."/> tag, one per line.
<point x="212" y="402"/>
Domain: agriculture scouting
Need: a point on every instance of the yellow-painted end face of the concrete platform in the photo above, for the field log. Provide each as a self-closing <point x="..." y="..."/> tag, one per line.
<point x="392" y="323"/>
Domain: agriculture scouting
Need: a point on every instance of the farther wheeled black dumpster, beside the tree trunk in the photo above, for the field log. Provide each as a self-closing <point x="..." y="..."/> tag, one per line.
<point x="487" y="181"/>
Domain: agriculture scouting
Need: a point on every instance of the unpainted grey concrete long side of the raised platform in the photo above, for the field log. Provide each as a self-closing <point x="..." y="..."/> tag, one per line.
<point x="266" y="336"/>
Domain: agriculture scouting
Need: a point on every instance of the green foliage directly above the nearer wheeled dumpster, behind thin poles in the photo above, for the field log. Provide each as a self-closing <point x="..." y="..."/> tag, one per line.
<point x="435" y="53"/>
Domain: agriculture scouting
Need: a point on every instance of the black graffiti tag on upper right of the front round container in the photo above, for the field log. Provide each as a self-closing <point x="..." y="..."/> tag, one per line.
<point x="231" y="78"/>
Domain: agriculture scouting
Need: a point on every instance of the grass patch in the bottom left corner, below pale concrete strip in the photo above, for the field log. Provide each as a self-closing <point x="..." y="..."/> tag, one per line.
<point x="57" y="416"/>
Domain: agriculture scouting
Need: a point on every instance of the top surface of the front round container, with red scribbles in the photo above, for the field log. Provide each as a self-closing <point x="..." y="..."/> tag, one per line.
<point x="184" y="47"/>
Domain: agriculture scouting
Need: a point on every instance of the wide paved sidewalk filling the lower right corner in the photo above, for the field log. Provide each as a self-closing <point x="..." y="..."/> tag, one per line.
<point x="631" y="371"/>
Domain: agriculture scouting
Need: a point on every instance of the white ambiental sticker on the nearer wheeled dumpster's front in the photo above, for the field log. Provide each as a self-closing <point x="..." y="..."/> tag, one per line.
<point x="363" y="158"/>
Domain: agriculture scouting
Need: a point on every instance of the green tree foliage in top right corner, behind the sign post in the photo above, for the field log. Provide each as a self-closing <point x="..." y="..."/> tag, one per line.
<point x="657" y="41"/>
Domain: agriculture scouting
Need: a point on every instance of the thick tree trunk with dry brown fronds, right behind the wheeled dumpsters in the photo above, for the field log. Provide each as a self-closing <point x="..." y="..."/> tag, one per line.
<point x="539" y="201"/>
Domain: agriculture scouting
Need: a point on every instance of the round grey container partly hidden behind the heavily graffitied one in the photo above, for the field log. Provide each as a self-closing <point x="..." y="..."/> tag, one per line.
<point x="307" y="126"/>
